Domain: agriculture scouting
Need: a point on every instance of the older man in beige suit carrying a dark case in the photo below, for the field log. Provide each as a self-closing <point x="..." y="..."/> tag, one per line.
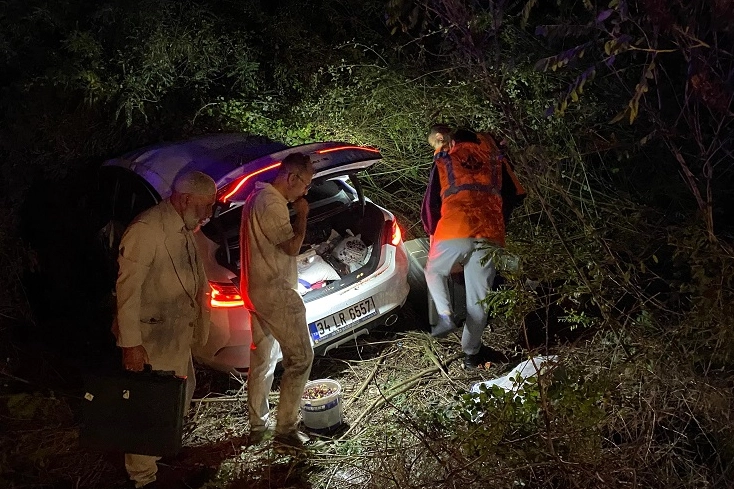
<point x="161" y="288"/>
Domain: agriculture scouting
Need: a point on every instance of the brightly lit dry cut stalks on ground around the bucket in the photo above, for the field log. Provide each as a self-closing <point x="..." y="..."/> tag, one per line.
<point x="383" y="381"/>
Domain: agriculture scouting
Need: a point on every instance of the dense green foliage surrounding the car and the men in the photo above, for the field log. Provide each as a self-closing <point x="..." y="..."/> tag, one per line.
<point x="618" y="118"/>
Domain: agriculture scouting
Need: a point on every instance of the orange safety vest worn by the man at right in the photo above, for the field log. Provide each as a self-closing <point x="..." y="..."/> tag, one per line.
<point x="471" y="202"/>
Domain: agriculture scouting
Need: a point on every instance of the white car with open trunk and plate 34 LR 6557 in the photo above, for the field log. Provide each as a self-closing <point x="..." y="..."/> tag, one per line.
<point x="353" y="267"/>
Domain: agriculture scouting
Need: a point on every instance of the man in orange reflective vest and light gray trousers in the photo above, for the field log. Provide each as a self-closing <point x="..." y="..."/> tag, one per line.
<point x="465" y="219"/>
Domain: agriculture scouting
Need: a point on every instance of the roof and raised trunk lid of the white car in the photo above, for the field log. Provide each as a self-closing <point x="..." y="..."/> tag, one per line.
<point x="231" y="156"/>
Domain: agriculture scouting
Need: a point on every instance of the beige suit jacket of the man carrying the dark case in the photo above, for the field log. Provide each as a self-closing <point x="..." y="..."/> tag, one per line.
<point x="161" y="288"/>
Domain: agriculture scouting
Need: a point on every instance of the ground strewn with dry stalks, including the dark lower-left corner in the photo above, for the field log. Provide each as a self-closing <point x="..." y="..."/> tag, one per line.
<point x="384" y="376"/>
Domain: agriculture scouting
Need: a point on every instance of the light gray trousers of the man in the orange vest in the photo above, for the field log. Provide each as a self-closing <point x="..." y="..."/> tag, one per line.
<point x="478" y="279"/>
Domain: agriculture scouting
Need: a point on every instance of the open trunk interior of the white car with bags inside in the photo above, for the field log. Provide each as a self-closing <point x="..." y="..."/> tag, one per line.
<point x="343" y="240"/>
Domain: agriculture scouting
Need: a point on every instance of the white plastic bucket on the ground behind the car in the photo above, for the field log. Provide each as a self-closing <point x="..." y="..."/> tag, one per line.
<point x="325" y="413"/>
